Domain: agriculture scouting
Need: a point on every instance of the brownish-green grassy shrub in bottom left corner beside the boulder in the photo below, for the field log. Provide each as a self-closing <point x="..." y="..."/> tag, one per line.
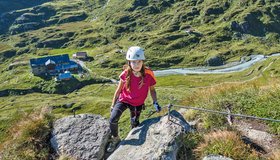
<point x="30" y="138"/>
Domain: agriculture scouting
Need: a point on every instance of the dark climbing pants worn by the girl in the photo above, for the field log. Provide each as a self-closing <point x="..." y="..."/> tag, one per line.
<point x="116" y="113"/>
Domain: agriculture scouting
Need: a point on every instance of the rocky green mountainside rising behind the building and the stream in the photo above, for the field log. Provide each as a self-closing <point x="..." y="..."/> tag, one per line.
<point x="175" y="32"/>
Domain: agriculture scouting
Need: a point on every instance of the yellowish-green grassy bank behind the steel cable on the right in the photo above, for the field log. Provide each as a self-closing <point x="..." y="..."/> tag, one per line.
<point x="250" y="99"/>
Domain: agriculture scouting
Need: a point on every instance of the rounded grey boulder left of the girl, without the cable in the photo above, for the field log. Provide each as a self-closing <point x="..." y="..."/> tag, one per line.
<point x="81" y="137"/>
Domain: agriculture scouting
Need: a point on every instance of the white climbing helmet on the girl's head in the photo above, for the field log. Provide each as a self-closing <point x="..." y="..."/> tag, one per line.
<point x="135" y="53"/>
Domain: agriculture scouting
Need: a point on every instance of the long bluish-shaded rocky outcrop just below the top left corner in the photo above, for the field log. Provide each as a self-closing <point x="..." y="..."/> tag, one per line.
<point x="35" y="18"/>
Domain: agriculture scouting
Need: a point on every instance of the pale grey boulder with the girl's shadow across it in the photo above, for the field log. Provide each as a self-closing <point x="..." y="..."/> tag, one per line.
<point x="156" y="138"/>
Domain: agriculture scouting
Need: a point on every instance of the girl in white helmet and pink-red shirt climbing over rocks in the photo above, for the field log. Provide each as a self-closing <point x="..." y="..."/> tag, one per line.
<point x="135" y="83"/>
